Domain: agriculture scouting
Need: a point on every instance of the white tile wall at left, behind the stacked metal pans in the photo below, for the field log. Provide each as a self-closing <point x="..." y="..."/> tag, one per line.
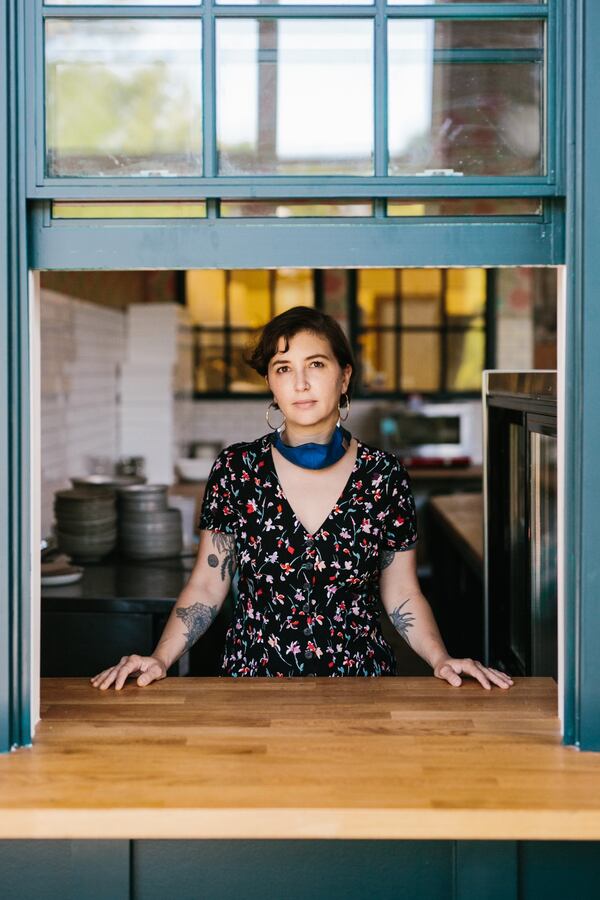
<point x="82" y="346"/>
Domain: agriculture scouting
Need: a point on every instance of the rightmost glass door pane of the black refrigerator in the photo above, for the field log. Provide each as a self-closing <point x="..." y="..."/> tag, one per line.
<point x="544" y="578"/>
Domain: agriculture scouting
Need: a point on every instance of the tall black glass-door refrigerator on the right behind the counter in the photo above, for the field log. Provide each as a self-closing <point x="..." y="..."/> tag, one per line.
<point x="520" y="488"/>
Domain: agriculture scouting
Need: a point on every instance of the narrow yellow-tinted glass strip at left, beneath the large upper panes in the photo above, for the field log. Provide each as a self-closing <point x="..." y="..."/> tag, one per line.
<point x="123" y="209"/>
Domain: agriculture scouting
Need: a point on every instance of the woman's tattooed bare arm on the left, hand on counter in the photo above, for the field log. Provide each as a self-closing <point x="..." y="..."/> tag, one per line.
<point x="193" y="613"/>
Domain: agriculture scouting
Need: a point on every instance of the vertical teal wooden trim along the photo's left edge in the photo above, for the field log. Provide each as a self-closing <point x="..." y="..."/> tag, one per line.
<point x="15" y="526"/>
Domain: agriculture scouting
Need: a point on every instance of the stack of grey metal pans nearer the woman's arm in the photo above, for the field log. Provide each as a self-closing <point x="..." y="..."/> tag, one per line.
<point x="148" y="529"/>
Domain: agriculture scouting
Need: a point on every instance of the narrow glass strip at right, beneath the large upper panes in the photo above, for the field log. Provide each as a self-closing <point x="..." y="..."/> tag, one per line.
<point x="477" y="206"/>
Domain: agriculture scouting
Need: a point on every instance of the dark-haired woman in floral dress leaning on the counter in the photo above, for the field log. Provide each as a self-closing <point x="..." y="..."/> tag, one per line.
<point x="319" y="525"/>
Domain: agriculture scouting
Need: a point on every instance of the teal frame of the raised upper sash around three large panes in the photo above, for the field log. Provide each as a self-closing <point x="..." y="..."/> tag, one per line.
<point x="212" y="186"/>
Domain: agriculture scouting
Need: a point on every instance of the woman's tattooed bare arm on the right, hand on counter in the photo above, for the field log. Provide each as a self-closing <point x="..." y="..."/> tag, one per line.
<point x="412" y="617"/>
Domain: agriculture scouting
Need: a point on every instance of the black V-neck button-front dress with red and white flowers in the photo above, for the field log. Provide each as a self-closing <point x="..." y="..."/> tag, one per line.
<point x="307" y="604"/>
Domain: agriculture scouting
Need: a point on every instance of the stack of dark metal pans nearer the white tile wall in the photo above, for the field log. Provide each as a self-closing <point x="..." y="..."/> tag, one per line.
<point x="86" y="523"/>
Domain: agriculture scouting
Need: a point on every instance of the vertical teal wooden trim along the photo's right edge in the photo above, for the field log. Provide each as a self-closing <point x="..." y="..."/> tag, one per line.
<point x="582" y="415"/>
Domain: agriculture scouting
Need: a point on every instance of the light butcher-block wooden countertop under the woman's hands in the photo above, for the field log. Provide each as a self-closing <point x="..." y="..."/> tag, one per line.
<point x="300" y="758"/>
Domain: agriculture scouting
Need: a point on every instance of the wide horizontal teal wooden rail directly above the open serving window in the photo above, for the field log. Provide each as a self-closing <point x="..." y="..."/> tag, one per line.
<point x="257" y="245"/>
